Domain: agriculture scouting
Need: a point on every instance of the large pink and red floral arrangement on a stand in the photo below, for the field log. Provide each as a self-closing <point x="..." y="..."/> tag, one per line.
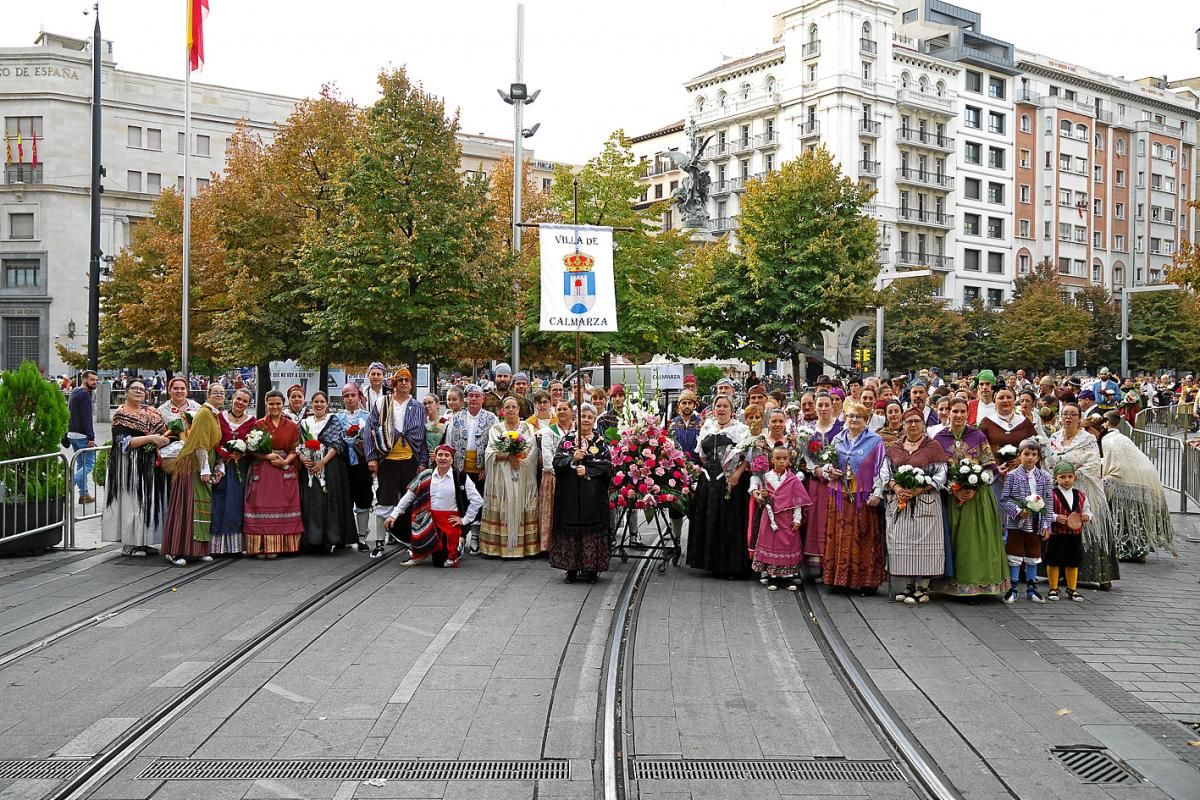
<point x="652" y="471"/>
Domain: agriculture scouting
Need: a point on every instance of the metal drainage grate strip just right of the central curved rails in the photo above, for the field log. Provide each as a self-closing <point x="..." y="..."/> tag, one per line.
<point x="862" y="772"/>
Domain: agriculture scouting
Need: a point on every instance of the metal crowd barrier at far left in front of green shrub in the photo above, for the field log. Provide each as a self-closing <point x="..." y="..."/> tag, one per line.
<point x="33" y="494"/>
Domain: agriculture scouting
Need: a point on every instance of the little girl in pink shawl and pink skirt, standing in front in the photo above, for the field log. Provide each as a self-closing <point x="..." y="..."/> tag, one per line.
<point x="779" y="554"/>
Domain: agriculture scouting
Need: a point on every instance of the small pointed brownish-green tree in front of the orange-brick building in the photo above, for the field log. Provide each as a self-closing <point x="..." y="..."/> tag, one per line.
<point x="1040" y="324"/>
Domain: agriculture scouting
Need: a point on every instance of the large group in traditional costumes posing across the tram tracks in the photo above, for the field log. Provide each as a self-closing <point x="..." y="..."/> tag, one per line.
<point x="965" y="489"/>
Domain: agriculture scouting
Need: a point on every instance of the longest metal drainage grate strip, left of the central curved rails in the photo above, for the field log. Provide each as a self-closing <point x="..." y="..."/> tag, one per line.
<point x="351" y="769"/>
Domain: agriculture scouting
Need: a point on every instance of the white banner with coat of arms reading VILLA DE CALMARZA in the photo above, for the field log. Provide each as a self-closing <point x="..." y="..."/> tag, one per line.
<point x="578" y="292"/>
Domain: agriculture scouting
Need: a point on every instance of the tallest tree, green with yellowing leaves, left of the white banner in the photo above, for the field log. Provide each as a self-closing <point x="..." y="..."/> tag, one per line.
<point x="406" y="273"/>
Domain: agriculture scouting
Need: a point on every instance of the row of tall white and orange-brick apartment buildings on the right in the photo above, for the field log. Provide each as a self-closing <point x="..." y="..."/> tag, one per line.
<point x="950" y="127"/>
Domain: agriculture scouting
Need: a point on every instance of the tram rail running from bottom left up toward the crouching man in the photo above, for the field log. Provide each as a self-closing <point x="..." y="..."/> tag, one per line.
<point x="101" y="767"/>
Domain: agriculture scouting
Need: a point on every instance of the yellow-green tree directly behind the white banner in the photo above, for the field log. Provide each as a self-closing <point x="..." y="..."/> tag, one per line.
<point x="652" y="273"/>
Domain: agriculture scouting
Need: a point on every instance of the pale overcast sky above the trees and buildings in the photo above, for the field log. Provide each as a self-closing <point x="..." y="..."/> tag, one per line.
<point x="602" y="65"/>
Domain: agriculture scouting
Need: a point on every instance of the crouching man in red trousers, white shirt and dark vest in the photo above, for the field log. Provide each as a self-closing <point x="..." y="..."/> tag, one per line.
<point x="445" y="502"/>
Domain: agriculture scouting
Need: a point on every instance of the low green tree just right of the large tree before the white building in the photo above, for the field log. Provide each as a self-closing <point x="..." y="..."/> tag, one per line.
<point x="919" y="330"/>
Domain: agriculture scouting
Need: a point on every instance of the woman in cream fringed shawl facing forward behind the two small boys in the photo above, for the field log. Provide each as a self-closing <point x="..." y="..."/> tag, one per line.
<point x="1072" y="443"/>
